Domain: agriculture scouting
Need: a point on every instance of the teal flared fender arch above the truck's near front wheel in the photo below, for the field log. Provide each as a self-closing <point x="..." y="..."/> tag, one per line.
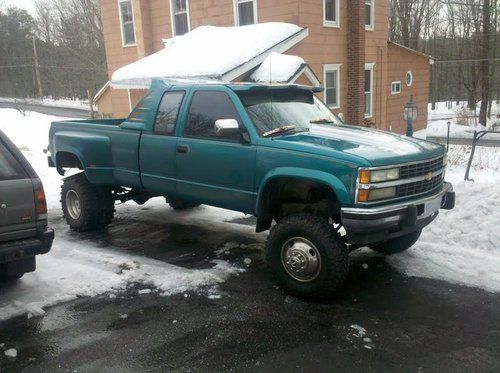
<point x="338" y="187"/>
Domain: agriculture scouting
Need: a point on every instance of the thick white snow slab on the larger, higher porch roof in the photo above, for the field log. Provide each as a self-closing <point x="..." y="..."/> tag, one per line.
<point x="210" y="52"/>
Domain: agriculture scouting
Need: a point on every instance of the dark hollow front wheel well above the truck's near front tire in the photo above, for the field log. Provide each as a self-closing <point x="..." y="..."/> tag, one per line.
<point x="289" y="195"/>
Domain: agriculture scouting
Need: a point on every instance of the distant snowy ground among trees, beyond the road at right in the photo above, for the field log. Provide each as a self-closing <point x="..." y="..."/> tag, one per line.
<point x="463" y="121"/>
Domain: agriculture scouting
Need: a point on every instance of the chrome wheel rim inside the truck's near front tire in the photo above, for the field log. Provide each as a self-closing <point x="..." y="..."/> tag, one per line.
<point x="301" y="259"/>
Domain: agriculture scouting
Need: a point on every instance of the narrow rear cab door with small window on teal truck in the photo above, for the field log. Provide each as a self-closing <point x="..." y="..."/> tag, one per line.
<point x="157" y="151"/>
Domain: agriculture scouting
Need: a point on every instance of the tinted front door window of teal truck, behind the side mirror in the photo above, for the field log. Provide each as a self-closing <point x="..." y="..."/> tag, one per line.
<point x="207" y="107"/>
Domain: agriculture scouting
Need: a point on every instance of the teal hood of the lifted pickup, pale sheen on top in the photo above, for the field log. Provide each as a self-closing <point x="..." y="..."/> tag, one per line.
<point x="379" y="148"/>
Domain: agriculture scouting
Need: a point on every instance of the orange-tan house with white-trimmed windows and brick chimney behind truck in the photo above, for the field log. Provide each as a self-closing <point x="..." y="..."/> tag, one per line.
<point x="365" y="76"/>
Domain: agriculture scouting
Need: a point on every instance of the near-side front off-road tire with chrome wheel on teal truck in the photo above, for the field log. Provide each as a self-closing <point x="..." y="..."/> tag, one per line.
<point x="308" y="257"/>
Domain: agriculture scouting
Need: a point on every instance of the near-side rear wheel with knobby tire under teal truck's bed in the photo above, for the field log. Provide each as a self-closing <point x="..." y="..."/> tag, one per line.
<point x="86" y="207"/>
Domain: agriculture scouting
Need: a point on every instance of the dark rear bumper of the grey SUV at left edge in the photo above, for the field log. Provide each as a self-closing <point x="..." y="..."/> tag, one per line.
<point x="29" y="247"/>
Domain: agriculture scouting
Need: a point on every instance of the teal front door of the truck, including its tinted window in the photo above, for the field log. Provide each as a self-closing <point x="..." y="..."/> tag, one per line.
<point x="214" y="170"/>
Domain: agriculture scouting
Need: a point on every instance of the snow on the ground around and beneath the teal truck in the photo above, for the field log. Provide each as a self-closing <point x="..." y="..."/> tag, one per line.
<point x="461" y="246"/>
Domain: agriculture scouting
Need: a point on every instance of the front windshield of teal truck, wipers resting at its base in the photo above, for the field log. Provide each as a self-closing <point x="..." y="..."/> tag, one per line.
<point x="285" y="111"/>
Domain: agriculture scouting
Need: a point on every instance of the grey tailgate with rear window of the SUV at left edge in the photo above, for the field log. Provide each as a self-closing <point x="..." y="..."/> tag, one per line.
<point x="17" y="203"/>
